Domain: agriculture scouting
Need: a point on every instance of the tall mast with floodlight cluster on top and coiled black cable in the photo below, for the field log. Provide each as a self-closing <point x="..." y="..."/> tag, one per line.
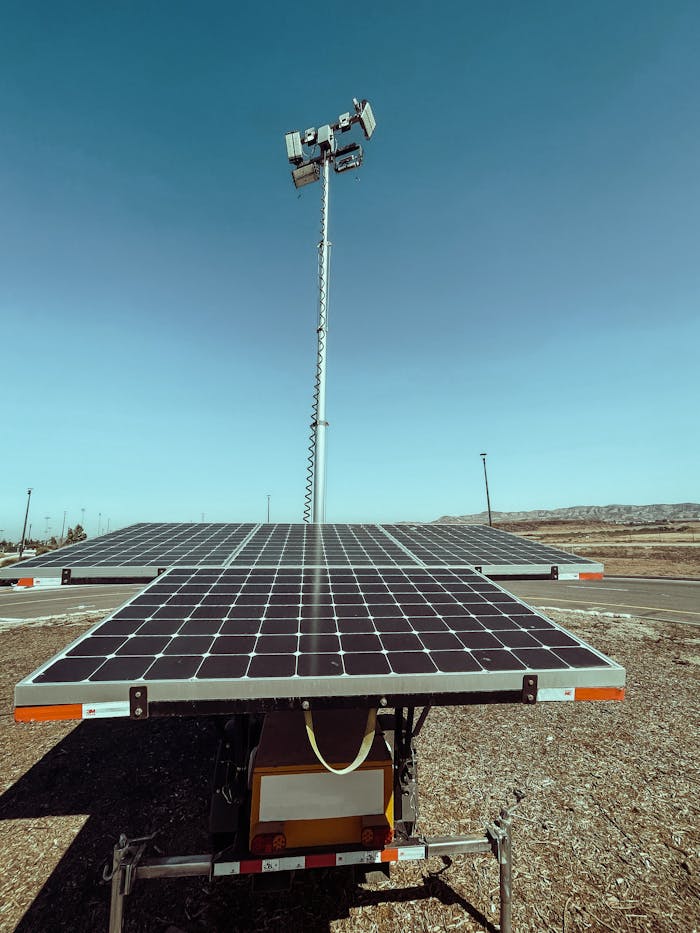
<point x="309" y="167"/>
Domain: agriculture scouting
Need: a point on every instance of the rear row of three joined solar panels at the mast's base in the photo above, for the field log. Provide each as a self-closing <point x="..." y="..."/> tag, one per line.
<point x="141" y="552"/>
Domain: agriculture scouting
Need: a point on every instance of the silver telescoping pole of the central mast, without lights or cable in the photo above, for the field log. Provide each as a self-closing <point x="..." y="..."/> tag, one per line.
<point x="318" y="515"/>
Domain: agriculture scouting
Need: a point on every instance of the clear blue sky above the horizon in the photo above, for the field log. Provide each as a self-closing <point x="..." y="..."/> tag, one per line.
<point x="515" y="267"/>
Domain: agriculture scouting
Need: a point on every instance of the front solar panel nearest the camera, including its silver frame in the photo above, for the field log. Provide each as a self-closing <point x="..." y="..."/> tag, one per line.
<point x="253" y="634"/>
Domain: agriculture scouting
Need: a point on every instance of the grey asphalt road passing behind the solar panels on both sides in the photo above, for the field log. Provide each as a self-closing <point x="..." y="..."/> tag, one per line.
<point x="667" y="600"/>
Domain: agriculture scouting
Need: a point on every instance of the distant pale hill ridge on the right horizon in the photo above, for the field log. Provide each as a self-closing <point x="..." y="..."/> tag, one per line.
<point x="682" y="512"/>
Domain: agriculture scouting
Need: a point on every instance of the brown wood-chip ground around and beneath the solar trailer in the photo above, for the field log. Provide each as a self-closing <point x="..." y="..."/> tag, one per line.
<point x="605" y="836"/>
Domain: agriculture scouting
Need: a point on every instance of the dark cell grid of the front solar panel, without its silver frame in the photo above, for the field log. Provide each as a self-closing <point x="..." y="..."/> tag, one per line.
<point x="256" y="624"/>
